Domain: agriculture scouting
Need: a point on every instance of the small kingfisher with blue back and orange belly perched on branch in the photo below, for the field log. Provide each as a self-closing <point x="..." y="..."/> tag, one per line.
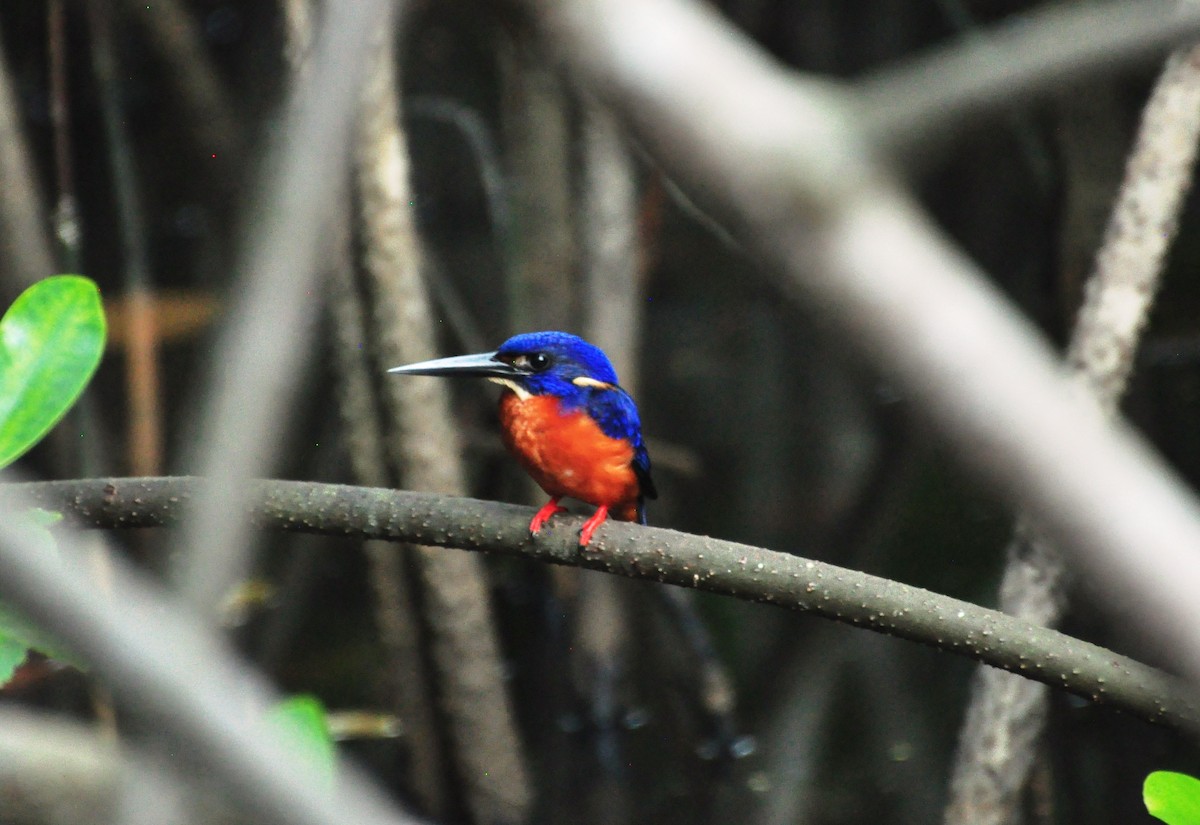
<point x="566" y="419"/>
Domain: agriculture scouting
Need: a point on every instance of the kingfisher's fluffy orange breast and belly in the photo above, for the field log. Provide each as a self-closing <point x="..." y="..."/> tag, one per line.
<point x="569" y="455"/>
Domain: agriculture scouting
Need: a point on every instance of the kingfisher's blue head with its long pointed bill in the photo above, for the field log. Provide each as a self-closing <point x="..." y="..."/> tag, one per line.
<point x="535" y="364"/>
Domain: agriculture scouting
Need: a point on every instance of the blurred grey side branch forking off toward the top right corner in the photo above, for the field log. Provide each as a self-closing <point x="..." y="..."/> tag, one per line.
<point x="921" y="104"/>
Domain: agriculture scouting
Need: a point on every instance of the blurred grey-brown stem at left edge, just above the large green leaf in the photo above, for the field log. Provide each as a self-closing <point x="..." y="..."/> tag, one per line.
<point x="26" y="246"/>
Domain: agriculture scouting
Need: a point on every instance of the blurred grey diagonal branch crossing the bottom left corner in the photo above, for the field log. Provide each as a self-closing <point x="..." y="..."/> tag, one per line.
<point x="179" y="677"/>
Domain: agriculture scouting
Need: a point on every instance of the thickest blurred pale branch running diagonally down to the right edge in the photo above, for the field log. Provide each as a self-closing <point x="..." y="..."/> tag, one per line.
<point x="788" y="164"/>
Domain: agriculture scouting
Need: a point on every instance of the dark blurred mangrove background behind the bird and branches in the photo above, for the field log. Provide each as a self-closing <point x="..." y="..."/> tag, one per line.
<point x="143" y="127"/>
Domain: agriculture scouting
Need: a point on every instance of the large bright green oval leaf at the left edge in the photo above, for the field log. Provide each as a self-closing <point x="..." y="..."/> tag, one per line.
<point x="51" y="342"/>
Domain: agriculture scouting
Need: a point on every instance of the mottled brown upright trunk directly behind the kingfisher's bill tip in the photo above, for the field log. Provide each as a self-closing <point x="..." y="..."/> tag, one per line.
<point x="425" y="448"/>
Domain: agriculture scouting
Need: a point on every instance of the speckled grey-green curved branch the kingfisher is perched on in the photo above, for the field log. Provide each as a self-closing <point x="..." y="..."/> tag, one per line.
<point x="747" y="573"/>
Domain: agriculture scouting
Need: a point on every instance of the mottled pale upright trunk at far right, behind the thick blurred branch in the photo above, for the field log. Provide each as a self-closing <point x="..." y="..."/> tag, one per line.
<point x="1007" y="714"/>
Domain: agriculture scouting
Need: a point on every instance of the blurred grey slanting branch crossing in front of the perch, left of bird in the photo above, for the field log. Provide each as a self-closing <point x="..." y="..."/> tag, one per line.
<point x="257" y="362"/>
